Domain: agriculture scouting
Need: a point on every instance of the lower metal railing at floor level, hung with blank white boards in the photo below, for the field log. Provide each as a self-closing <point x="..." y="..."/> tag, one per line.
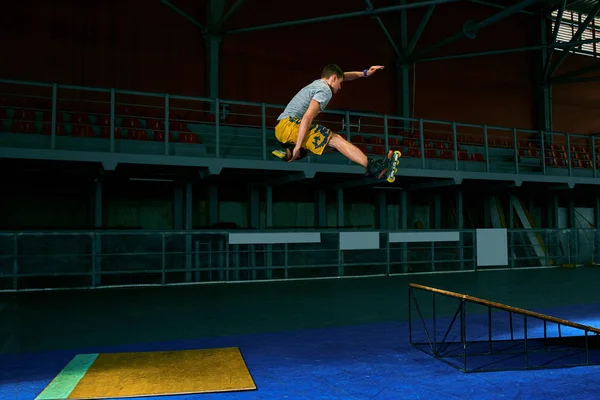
<point x="53" y="260"/>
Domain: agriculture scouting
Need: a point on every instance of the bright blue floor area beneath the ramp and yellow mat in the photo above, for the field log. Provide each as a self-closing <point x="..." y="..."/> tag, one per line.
<point x="373" y="361"/>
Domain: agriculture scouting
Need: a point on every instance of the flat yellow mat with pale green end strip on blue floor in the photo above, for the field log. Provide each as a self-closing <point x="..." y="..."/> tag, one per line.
<point x="114" y="375"/>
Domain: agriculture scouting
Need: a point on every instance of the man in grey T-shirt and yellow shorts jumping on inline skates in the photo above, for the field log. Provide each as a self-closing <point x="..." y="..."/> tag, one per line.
<point x="297" y="132"/>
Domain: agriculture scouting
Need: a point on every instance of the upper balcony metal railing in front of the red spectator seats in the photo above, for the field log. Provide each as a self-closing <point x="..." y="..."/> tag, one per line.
<point x="121" y="121"/>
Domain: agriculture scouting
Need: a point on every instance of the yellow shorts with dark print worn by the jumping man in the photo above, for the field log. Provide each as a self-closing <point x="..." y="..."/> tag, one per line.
<point x="316" y="138"/>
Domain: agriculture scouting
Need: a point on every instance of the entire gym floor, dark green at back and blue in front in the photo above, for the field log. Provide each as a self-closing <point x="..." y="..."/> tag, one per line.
<point x="301" y="340"/>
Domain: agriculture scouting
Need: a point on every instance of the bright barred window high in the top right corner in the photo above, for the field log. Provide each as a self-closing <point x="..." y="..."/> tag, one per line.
<point x="569" y="25"/>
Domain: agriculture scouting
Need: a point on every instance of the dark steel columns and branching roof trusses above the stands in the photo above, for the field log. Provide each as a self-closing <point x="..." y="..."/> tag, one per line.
<point x="215" y="29"/>
